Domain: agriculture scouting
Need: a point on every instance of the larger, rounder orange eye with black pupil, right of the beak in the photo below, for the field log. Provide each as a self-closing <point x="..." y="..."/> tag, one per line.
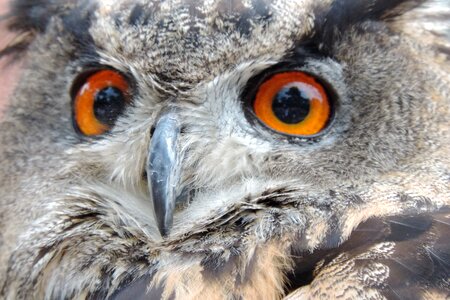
<point x="293" y="103"/>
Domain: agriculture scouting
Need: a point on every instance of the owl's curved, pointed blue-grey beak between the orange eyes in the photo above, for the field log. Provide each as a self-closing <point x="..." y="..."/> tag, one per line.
<point x="163" y="170"/>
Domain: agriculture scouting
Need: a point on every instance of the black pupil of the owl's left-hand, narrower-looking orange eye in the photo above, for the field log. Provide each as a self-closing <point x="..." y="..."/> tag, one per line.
<point x="108" y="105"/>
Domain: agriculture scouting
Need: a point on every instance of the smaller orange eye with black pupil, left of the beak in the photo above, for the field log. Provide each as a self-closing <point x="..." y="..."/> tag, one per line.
<point x="99" y="101"/>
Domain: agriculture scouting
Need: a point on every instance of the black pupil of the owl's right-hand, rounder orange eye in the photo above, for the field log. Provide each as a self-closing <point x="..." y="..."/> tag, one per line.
<point x="291" y="105"/>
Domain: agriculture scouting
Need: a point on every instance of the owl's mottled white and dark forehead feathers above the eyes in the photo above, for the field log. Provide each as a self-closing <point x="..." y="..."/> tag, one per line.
<point x="192" y="40"/>
